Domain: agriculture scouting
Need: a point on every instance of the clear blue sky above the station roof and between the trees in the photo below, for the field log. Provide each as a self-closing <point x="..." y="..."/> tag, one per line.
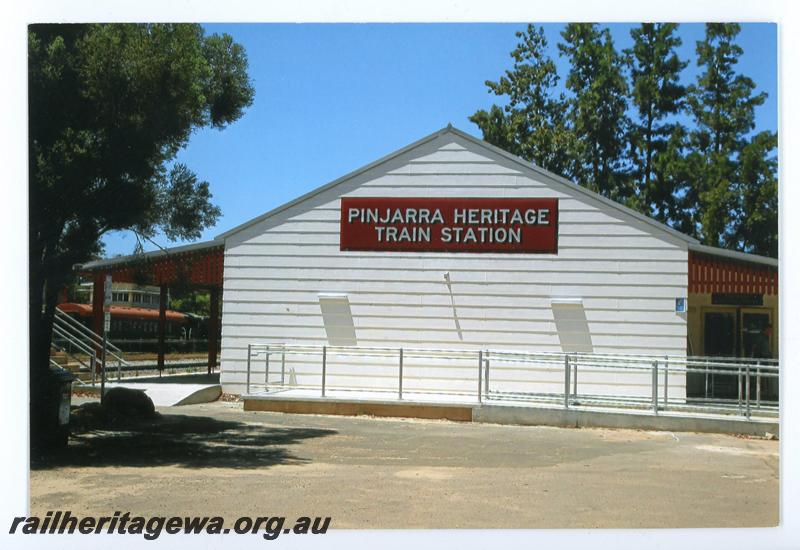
<point x="333" y="97"/>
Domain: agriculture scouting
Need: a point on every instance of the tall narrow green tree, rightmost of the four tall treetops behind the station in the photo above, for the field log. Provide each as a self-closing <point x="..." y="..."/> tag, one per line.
<point x="722" y="104"/>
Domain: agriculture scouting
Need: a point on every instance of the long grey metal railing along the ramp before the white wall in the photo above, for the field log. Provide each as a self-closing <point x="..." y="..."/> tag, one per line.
<point x="657" y="383"/>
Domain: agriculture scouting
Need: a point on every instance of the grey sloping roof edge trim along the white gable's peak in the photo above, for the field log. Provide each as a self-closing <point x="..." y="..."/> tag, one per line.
<point x="526" y="166"/>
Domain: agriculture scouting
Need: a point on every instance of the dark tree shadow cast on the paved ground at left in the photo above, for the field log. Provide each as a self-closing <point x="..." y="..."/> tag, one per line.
<point x="183" y="441"/>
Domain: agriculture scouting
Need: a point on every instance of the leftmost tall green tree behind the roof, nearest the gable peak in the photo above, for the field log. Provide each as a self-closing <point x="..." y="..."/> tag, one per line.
<point x="532" y="124"/>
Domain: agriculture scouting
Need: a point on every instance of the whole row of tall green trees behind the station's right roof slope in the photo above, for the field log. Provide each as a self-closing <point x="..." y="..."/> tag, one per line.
<point x="712" y="180"/>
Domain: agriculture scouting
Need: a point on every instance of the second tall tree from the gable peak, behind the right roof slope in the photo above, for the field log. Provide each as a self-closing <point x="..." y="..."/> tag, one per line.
<point x="597" y="109"/>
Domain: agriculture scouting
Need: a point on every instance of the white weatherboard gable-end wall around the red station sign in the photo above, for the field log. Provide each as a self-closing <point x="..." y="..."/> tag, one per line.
<point x="627" y="274"/>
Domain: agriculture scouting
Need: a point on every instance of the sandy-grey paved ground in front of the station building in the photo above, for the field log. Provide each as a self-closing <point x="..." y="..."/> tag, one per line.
<point x="215" y="459"/>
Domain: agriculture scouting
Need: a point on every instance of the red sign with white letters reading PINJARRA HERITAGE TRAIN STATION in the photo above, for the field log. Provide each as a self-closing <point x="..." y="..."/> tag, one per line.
<point x="522" y="226"/>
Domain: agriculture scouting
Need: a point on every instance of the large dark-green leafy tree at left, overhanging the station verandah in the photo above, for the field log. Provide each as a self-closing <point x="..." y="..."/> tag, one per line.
<point x="109" y="108"/>
